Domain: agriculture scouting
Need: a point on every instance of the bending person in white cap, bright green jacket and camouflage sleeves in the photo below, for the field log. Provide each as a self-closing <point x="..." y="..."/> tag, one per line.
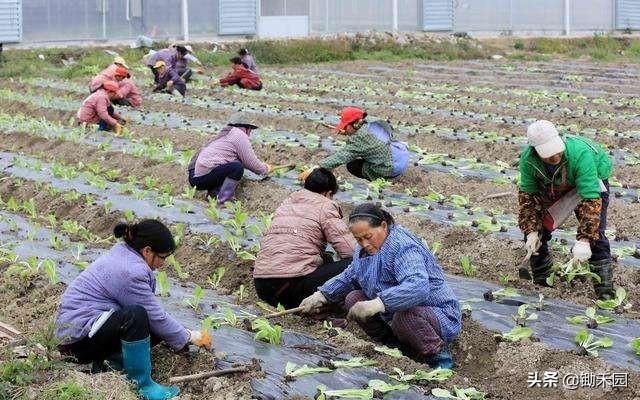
<point x="559" y="176"/>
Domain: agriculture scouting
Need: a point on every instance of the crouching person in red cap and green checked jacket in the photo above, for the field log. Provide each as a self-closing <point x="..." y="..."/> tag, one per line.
<point x="370" y="151"/>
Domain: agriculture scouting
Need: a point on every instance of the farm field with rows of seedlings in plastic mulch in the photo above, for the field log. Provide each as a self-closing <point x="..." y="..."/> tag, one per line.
<point x="63" y="187"/>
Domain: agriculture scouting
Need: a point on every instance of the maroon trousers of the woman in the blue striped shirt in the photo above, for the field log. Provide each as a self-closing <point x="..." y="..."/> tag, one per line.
<point x="417" y="328"/>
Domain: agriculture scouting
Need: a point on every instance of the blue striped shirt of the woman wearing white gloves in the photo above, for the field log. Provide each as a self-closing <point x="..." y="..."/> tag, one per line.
<point x="404" y="274"/>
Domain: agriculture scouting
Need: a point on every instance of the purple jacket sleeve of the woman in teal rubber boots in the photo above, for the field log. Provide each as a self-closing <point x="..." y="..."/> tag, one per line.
<point x="139" y="292"/>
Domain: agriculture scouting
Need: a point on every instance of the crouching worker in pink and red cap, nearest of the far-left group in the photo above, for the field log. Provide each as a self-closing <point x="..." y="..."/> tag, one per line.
<point x="97" y="109"/>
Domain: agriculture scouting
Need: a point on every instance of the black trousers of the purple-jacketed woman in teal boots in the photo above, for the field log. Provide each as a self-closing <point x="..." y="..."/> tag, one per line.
<point x="130" y="324"/>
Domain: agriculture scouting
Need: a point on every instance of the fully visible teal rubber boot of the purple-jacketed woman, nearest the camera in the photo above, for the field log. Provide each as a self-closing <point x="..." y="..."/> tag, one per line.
<point x="136" y="358"/>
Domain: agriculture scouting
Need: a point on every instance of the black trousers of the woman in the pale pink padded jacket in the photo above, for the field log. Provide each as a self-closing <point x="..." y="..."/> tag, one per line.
<point x="291" y="291"/>
